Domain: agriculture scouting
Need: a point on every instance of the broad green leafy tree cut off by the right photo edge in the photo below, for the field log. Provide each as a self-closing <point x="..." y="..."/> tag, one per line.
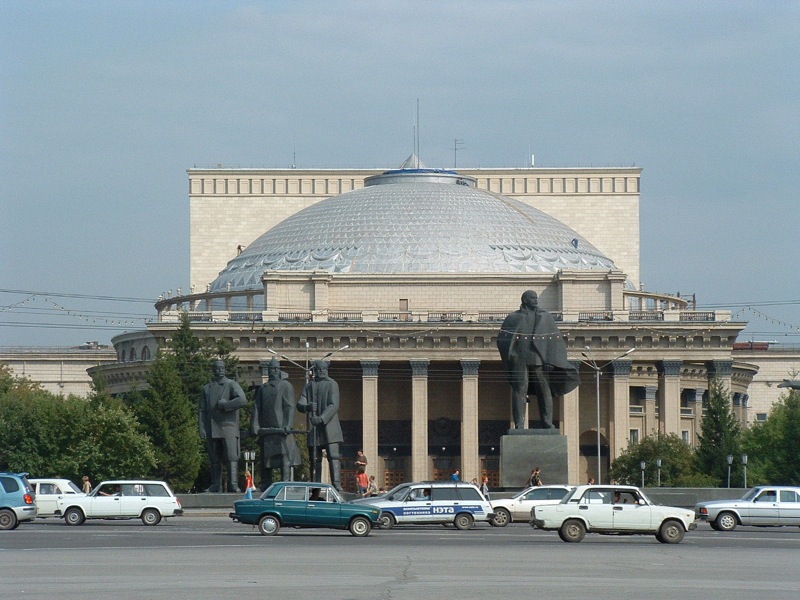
<point x="773" y="446"/>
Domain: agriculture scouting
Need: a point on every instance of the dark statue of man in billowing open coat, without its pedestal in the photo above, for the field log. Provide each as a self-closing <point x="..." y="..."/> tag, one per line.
<point x="535" y="357"/>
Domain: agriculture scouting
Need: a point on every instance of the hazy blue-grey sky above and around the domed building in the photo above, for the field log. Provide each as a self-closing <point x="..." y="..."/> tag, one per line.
<point x="104" y="105"/>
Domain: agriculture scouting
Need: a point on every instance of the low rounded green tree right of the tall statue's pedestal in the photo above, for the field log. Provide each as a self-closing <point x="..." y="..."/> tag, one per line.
<point x="677" y="462"/>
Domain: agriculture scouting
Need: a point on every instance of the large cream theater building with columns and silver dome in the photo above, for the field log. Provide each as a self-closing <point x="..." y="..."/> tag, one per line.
<point x="403" y="277"/>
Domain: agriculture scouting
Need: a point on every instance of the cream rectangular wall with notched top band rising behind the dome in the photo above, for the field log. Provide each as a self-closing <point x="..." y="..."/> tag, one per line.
<point x="232" y="207"/>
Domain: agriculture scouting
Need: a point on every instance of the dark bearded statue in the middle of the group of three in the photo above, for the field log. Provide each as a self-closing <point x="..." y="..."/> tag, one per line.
<point x="272" y="420"/>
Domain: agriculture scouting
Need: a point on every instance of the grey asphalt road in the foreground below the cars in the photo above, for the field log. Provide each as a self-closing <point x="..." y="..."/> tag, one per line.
<point x="211" y="557"/>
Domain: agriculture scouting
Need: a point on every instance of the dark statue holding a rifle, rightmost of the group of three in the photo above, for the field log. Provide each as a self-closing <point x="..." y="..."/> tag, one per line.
<point x="320" y="399"/>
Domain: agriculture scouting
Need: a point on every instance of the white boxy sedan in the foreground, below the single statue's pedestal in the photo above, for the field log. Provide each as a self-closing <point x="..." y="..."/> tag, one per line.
<point x="612" y="509"/>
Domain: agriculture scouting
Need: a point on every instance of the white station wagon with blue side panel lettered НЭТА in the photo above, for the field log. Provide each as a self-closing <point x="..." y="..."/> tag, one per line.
<point x="445" y="502"/>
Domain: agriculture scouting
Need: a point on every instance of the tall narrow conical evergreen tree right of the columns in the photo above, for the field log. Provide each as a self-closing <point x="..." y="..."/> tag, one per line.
<point x="720" y="437"/>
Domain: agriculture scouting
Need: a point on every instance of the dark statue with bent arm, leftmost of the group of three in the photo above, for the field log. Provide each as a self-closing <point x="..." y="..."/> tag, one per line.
<point x="219" y="426"/>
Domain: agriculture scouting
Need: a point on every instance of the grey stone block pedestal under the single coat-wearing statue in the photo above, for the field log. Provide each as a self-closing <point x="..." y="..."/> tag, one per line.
<point x="522" y="450"/>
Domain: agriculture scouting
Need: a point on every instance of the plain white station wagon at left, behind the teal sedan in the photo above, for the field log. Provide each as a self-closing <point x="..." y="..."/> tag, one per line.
<point x="149" y="501"/>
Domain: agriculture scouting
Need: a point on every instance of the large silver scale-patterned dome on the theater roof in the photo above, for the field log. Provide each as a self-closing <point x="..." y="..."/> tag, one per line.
<point x="414" y="221"/>
